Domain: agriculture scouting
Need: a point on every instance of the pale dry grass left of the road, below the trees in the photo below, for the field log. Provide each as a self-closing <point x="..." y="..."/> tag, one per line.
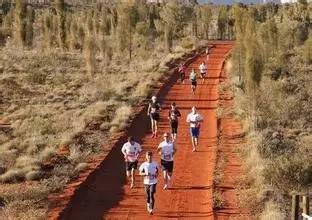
<point x="54" y="104"/>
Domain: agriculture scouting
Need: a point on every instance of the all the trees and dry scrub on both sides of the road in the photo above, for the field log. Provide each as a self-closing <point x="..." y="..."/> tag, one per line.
<point x="72" y="71"/>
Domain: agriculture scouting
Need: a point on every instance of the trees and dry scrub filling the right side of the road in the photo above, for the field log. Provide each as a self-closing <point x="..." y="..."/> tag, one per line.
<point x="271" y="66"/>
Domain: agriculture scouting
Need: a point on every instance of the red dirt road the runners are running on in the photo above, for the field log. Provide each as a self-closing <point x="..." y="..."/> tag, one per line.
<point x="106" y="196"/>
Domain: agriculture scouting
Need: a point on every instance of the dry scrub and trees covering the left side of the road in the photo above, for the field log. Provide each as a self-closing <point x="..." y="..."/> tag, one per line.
<point x="71" y="74"/>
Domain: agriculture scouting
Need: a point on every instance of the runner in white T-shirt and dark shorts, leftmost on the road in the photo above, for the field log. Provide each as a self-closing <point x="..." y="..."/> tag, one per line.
<point x="131" y="151"/>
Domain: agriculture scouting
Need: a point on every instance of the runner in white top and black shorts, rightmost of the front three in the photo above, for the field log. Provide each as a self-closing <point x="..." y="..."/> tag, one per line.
<point x="166" y="150"/>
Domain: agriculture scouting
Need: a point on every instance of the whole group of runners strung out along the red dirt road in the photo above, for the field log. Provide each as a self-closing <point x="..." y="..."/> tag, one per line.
<point x="166" y="149"/>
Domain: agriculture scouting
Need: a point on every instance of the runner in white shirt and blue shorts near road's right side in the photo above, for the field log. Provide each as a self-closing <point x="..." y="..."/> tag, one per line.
<point x="194" y="119"/>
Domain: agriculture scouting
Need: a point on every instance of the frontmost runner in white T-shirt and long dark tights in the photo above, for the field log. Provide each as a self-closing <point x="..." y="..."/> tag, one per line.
<point x="149" y="169"/>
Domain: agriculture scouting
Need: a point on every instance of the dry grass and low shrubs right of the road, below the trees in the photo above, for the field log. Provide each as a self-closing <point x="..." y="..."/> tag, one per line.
<point x="277" y="157"/>
